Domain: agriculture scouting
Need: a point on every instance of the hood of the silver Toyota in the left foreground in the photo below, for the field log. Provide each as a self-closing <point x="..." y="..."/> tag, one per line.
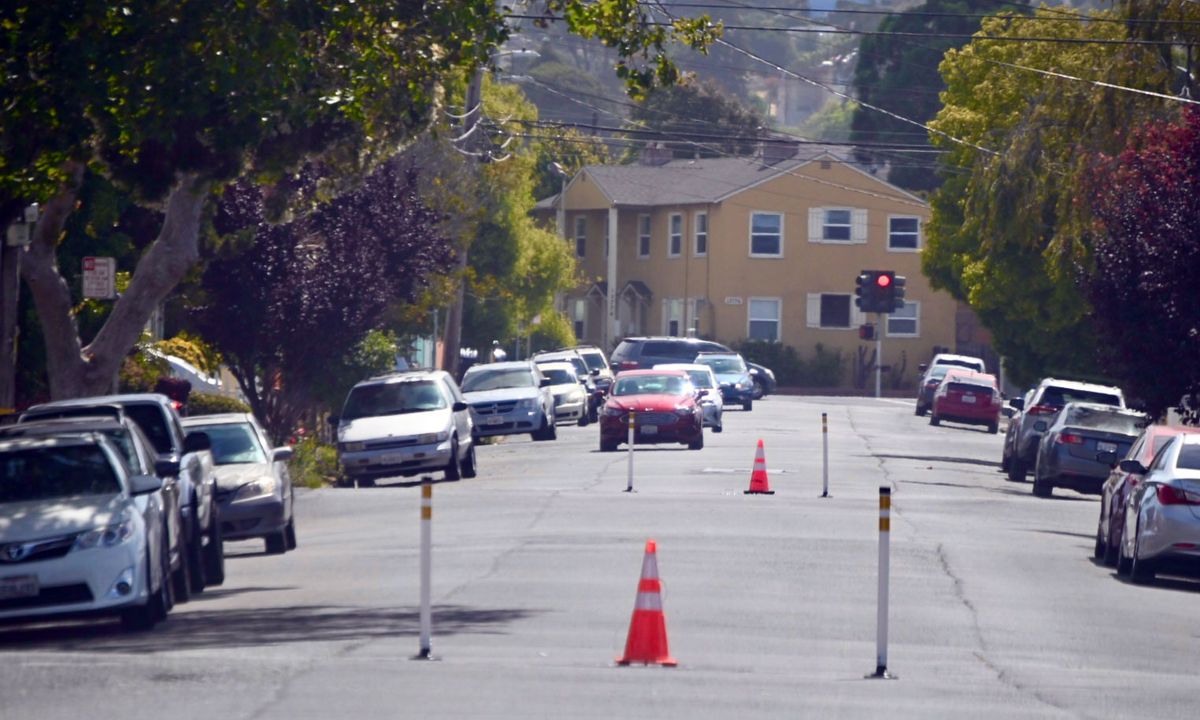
<point x="62" y="517"/>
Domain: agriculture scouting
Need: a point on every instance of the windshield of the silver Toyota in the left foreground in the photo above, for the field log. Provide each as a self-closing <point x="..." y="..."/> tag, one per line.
<point x="56" y="472"/>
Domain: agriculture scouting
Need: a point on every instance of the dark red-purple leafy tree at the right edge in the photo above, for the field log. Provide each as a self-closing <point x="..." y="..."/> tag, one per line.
<point x="1147" y="248"/>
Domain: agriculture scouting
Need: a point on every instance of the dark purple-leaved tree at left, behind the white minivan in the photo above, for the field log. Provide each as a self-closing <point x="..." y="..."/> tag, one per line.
<point x="289" y="304"/>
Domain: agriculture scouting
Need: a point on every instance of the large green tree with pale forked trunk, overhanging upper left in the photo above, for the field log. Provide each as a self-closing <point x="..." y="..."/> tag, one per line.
<point x="172" y="99"/>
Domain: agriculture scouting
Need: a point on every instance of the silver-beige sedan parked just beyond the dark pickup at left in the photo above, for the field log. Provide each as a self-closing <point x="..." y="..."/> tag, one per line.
<point x="254" y="485"/>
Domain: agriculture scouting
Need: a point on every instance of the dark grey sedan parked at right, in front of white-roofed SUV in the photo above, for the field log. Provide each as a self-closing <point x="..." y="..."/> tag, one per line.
<point x="1082" y="445"/>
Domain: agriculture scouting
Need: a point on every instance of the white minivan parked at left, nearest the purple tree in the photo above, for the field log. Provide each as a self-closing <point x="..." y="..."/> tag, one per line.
<point x="405" y="424"/>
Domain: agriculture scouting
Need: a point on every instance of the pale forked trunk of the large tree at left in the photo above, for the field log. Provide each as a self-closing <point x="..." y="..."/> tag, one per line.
<point x="77" y="371"/>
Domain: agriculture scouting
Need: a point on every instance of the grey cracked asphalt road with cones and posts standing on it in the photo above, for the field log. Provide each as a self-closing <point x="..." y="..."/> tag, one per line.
<point x="997" y="608"/>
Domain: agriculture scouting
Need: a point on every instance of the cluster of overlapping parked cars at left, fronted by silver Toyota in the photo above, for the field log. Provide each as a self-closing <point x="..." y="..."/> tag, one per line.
<point x="117" y="506"/>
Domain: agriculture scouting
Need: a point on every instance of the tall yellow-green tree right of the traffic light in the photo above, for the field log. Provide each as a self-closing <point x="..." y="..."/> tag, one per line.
<point x="1007" y="230"/>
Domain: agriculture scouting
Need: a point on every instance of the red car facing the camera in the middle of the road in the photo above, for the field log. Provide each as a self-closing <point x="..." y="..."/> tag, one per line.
<point x="665" y="407"/>
